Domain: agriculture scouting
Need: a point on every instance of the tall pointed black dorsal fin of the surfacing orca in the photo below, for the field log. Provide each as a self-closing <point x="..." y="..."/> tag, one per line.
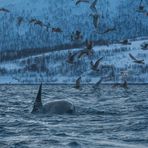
<point x="38" y="101"/>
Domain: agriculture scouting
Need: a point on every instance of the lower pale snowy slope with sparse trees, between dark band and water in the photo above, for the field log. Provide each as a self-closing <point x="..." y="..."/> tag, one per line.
<point x="53" y="68"/>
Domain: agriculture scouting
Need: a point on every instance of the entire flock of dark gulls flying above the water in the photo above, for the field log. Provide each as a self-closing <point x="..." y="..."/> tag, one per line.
<point x="77" y="35"/>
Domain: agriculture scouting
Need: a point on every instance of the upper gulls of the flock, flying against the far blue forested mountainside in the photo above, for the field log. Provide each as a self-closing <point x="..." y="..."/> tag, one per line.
<point x="77" y="34"/>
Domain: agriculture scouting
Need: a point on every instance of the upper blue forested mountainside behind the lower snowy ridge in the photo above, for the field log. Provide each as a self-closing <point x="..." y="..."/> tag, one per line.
<point x="69" y="17"/>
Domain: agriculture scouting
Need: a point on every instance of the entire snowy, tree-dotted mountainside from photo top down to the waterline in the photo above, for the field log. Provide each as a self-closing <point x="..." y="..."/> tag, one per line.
<point x="20" y="37"/>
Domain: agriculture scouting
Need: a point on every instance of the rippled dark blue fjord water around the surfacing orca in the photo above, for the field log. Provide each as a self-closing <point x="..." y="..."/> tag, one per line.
<point x="104" y="118"/>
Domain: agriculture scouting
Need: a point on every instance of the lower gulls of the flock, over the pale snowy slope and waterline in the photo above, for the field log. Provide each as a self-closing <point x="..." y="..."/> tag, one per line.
<point x="96" y="66"/>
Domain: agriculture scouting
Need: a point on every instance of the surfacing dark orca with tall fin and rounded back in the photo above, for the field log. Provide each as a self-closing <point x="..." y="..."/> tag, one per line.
<point x="55" y="107"/>
